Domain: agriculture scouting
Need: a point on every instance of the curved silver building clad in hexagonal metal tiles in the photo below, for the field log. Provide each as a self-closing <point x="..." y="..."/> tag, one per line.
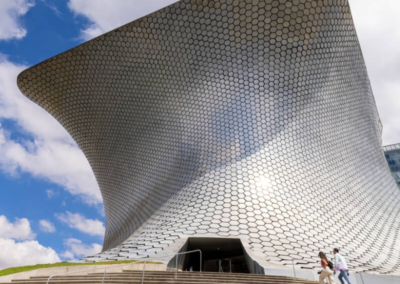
<point x="246" y="129"/>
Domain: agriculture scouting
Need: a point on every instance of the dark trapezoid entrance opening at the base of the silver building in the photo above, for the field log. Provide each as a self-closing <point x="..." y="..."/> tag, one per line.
<point x="219" y="255"/>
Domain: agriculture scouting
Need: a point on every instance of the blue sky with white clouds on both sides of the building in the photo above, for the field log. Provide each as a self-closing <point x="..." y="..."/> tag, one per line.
<point x="50" y="205"/>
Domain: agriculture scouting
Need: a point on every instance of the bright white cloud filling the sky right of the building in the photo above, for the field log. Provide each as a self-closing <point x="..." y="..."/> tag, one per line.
<point x="376" y="24"/>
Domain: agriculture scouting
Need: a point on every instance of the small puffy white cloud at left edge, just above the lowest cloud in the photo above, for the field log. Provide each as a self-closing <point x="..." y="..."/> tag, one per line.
<point x="19" y="230"/>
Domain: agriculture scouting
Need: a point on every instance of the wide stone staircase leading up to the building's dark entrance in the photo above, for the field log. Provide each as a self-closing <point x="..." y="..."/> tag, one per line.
<point x="166" y="277"/>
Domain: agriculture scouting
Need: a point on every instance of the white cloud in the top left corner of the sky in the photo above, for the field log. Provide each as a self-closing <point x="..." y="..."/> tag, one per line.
<point x="10" y="14"/>
